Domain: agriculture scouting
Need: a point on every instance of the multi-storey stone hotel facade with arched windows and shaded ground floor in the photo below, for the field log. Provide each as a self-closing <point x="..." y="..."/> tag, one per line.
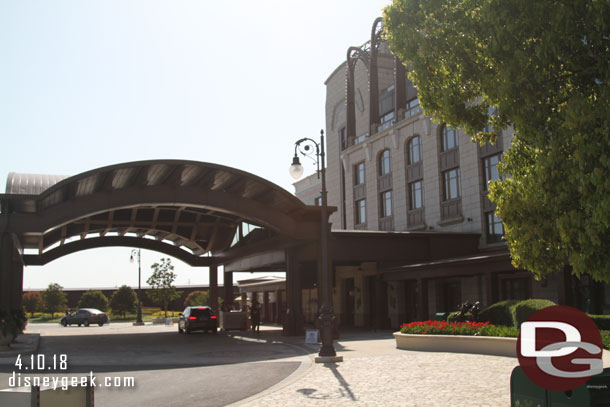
<point x="375" y="173"/>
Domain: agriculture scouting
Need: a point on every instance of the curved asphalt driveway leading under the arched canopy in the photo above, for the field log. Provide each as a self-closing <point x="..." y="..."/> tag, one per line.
<point x="169" y="369"/>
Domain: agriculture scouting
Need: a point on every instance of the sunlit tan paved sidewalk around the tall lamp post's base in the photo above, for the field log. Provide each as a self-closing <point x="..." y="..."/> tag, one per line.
<point x="375" y="373"/>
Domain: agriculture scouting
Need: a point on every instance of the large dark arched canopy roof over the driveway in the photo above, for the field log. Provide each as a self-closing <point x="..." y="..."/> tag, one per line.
<point x="186" y="209"/>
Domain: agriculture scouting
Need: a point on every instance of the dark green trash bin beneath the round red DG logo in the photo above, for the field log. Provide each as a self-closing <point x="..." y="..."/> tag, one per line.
<point x="594" y="393"/>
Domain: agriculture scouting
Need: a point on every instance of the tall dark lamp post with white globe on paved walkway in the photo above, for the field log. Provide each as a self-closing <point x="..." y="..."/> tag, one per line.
<point x="305" y="147"/>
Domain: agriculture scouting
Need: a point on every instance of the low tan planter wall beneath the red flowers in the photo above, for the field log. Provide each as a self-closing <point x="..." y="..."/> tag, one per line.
<point x="484" y="345"/>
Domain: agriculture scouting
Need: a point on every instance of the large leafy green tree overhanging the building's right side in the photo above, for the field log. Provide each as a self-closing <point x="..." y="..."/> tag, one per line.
<point x="542" y="68"/>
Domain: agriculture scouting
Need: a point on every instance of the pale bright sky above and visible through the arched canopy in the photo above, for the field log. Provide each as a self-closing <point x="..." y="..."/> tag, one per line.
<point x="85" y="84"/>
